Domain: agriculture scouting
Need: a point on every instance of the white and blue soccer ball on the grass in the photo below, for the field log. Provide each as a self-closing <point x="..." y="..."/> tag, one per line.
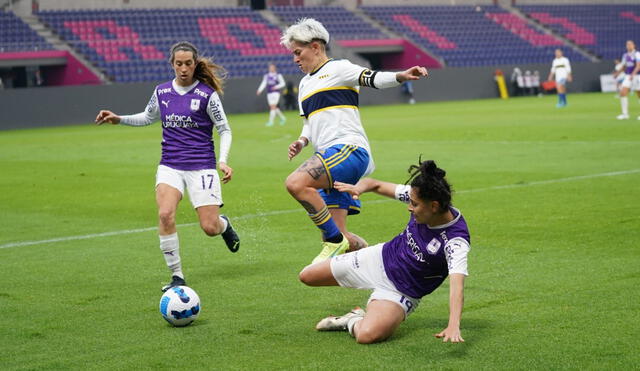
<point x="180" y="306"/>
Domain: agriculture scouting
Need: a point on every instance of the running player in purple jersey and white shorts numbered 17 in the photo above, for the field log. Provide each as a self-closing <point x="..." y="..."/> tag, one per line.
<point x="189" y="108"/>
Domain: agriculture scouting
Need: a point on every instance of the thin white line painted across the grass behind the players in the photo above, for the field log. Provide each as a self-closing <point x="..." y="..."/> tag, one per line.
<point x="280" y="212"/>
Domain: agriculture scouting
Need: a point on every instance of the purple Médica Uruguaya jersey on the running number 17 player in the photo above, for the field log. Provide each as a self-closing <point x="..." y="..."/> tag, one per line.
<point x="186" y="128"/>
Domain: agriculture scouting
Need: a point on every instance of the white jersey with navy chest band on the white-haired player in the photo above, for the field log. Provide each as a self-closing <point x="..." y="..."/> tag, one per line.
<point x="328" y="100"/>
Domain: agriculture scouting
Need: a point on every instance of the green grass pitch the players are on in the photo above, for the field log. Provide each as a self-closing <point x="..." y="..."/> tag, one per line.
<point x="552" y="199"/>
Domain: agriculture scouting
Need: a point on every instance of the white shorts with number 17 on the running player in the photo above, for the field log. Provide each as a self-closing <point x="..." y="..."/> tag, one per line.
<point x="203" y="186"/>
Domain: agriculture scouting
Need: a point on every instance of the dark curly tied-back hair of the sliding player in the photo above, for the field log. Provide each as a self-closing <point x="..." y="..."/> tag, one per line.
<point x="431" y="183"/>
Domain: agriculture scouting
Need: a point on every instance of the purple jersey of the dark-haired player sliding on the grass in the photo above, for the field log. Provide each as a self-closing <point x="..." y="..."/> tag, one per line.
<point x="415" y="260"/>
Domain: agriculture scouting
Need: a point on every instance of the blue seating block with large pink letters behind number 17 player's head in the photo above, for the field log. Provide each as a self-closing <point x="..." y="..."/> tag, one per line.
<point x="133" y="45"/>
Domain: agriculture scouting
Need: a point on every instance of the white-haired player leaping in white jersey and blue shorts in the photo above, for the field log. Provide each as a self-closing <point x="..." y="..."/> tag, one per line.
<point x="328" y="100"/>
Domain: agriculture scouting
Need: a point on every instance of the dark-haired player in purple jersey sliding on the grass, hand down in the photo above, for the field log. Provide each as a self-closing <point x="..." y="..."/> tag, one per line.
<point x="432" y="246"/>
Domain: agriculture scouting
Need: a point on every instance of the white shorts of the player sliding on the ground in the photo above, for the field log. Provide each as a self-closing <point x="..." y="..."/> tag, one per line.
<point x="364" y="269"/>
